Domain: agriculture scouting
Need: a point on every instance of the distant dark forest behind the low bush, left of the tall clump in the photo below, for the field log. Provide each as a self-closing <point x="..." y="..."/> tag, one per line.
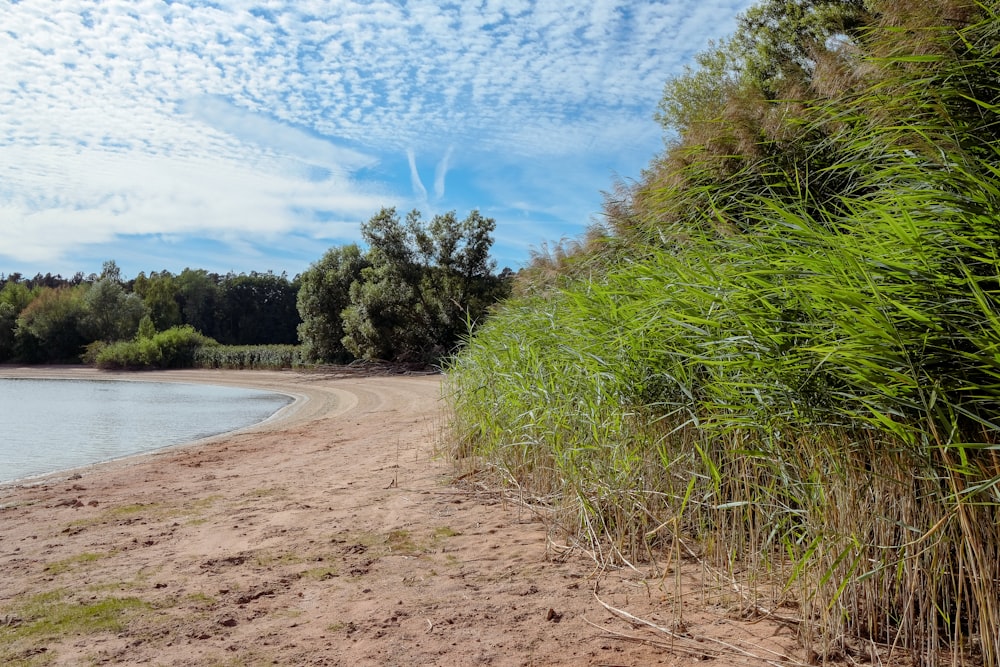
<point x="50" y="318"/>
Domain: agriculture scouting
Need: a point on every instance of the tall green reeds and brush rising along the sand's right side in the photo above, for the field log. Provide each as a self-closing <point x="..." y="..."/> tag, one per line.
<point x="791" y="355"/>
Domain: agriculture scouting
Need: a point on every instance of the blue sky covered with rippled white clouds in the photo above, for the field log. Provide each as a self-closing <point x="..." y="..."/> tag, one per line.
<point x="241" y="136"/>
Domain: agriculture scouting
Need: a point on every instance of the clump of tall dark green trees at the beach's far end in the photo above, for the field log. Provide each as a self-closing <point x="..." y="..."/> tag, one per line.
<point x="411" y="296"/>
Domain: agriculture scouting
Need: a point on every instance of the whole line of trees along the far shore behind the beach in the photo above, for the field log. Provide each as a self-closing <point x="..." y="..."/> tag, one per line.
<point x="410" y="295"/>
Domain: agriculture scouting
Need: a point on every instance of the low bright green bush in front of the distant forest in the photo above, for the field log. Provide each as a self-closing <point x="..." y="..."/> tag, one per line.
<point x="173" y="348"/>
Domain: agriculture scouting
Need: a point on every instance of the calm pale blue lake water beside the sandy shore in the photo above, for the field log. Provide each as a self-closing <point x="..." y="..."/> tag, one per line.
<point x="50" y="425"/>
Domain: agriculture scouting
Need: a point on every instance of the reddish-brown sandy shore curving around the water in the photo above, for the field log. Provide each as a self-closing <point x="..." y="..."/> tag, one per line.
<point x="332" y="535"/>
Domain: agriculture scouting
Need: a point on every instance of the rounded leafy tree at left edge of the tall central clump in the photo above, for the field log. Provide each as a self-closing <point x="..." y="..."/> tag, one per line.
<point x="324" y="294"/>
